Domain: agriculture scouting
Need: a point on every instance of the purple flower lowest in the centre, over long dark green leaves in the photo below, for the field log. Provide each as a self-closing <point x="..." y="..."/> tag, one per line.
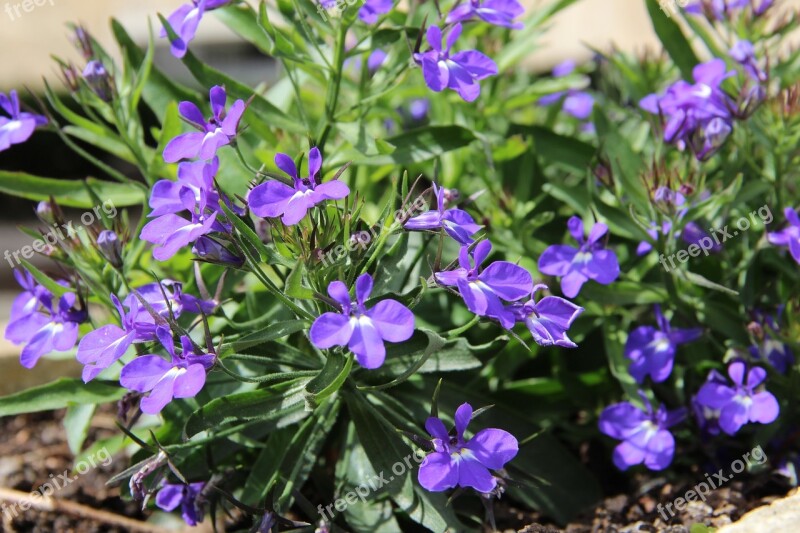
<point x="457" y="461"/>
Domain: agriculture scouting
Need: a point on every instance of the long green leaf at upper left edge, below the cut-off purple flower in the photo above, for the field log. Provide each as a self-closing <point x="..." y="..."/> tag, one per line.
<point x="69" y="193"/>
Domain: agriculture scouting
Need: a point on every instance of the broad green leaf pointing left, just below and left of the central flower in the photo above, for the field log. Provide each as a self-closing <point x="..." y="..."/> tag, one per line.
<point x="280" y="405"/>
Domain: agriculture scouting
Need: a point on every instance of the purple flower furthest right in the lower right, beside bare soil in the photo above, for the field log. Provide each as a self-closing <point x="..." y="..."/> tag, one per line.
<point x="739" y="404"/>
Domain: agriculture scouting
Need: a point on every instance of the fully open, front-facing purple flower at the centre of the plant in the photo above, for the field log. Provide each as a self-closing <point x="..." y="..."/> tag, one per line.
<point x="362" y="330"/>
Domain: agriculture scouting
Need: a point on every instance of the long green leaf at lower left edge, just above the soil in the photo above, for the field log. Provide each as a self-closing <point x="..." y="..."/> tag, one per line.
<point x="59" y="394"/>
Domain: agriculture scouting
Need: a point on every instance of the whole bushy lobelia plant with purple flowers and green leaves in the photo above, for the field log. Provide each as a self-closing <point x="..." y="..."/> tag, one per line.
<point x="355" y="211"/>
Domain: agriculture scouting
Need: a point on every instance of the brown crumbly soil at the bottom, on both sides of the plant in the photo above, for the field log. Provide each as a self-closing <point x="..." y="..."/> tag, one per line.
<point x="32" y="447"/>
